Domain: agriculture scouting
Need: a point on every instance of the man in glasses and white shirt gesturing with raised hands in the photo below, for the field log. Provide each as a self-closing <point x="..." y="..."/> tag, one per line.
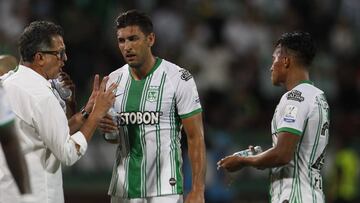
<point x="48" y="139"/>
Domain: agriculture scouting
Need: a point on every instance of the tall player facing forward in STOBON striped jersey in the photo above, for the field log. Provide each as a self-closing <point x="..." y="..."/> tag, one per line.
<point x="154" y="99"/>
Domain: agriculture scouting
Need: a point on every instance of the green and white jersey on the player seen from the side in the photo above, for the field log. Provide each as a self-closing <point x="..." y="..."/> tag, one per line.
<point x="302" y="111"/>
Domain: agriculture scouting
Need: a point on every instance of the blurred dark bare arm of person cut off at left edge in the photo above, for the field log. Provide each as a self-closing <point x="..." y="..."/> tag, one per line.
<point x="14" y="157"/>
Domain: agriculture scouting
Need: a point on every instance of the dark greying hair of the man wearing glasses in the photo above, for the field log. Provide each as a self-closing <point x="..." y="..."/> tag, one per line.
<point x="37" y="36"/>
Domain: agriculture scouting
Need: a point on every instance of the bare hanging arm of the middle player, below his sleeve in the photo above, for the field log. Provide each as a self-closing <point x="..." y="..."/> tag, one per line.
<point x="193" y="127"/>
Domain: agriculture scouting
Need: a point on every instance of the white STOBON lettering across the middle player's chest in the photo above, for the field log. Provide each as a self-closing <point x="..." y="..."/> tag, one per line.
<point x="147" y="118"/>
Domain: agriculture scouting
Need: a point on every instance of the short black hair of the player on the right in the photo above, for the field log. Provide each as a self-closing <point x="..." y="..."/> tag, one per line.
<point x="301" y="43"/>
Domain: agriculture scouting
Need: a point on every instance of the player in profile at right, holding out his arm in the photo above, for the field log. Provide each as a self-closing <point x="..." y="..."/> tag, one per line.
<point x="300" y="127"/>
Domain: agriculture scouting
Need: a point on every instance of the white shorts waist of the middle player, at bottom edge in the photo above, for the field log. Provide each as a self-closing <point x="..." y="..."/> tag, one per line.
<point x="160" y="199"/>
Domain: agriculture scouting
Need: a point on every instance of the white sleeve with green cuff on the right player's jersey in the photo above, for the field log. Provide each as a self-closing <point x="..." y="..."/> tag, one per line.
<point x="293" y="112"/>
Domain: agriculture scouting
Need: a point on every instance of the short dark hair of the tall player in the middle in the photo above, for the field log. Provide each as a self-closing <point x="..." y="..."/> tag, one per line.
<point x="134" y="17"/>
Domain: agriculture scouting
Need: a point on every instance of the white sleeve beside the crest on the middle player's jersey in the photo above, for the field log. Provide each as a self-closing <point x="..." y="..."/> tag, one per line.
<point x="187" y="97"/>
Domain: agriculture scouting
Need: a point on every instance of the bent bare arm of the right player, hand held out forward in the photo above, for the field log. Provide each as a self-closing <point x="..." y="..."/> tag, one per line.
<point x="279" y="155"/>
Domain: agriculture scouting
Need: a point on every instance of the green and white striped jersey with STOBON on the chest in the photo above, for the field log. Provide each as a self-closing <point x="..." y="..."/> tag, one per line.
<point x="149" y="115"/>
